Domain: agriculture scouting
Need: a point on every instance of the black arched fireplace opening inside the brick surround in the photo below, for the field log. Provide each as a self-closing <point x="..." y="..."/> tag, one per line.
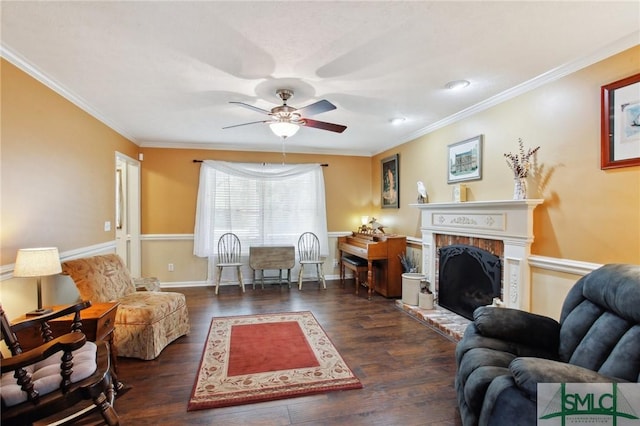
<point x="469" y="277"/>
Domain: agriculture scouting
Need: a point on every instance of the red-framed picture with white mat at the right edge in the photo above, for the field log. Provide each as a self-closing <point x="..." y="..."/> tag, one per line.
<point x="620" y="123"/>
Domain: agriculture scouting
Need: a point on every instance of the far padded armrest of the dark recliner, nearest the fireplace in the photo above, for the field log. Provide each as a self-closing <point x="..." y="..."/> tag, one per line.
<point x="519" y="327"/>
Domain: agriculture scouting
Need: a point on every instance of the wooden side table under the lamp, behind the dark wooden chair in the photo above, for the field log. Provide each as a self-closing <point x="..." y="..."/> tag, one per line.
<point x="98" y="323"/>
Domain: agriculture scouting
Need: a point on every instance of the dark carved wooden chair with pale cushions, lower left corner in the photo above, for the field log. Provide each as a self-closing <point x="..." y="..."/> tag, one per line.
<point x="58" y="375"/>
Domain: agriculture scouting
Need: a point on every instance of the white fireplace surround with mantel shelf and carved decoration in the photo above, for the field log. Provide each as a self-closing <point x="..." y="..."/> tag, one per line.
<point x="510" y="221"/>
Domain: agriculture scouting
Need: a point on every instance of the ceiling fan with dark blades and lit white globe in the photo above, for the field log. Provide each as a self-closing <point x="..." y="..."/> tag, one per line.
<point x="286" y="120"/>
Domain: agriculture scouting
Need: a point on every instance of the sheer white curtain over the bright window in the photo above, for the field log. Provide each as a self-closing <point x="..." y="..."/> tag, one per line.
<point x="261" y="203"/>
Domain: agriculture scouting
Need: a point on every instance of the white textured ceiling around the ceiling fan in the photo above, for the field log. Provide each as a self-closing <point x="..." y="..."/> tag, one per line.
<point x="163" y="73"/>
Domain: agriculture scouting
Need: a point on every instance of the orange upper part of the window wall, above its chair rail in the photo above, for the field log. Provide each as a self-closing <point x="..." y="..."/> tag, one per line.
<point x="170" y="186"/>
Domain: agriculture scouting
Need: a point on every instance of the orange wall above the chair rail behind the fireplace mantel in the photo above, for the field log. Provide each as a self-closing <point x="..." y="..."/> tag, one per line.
<point x="588" y="214"/>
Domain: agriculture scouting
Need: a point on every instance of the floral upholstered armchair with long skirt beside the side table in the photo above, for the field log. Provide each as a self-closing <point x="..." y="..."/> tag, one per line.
<point x="146" y="321"/>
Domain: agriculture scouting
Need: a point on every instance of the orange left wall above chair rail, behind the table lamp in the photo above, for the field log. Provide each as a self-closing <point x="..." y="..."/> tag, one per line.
<point x="57" y="169"/>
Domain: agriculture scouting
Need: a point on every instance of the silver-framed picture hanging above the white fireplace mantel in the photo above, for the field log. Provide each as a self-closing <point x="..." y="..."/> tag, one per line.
<point x="465" y="160"/>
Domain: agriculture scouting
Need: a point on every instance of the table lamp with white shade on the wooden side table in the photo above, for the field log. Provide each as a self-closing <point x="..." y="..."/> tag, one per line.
<point x="37" y="262"/>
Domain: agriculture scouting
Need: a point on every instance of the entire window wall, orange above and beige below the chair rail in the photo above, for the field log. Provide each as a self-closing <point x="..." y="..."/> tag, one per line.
<point x="169" y="192"/>
